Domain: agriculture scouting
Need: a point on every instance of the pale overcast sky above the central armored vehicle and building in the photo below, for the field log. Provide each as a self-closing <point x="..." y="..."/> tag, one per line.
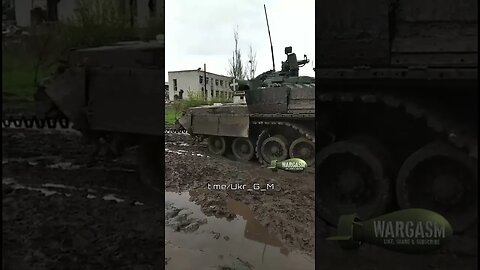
<point x="199" y="32"/>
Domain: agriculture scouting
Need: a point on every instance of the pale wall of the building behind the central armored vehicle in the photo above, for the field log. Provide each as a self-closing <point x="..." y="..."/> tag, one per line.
<point x="189" y="81"/>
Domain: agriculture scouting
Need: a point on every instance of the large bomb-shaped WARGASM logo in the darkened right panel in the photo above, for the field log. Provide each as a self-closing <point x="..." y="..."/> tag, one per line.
<point x="409" y="231"/>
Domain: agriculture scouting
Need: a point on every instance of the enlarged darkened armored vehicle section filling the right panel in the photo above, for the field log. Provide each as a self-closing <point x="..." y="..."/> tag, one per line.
<point x="397" y="87"/>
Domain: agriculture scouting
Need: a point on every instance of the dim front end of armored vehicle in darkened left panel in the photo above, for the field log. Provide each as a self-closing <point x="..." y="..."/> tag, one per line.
<point x="114" y="94"/>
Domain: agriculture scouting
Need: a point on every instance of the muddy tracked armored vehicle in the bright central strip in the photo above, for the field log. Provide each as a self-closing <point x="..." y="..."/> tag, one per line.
<point x="277" y="121"/>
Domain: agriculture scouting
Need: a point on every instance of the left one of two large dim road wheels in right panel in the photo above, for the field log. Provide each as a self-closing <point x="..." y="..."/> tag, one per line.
<point x="353" y="177"/>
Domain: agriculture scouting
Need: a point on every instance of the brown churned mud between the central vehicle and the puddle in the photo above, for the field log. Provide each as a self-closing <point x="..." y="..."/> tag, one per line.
<point x="286" y="209"/>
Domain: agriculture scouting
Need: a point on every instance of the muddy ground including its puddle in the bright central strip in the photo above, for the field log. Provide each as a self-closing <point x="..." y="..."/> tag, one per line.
<point x="266" y="224"/>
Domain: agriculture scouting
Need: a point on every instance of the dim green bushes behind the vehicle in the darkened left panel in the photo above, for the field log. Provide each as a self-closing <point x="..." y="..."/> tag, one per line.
<point x="95" y="23"/>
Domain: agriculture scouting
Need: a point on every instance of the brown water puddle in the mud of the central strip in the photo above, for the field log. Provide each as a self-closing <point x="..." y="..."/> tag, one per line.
<point x="196" y="241"/>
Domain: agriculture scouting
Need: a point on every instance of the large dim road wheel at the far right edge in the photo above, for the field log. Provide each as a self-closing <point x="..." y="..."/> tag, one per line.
<point x="441" y="178"/>
